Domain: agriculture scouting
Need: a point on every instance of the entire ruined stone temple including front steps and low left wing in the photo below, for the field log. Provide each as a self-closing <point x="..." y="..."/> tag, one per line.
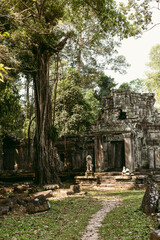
<point x="127" y="134"/>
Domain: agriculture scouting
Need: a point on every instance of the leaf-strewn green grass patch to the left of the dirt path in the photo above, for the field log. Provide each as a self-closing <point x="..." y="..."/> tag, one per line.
<point x="65" y="220"/>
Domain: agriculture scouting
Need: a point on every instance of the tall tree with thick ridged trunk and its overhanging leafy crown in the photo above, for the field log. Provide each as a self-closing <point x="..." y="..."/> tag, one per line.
<point x="43" y="27"/>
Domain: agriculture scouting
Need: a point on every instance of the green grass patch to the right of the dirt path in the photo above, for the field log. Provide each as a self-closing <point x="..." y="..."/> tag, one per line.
<point x="127" y="221"/>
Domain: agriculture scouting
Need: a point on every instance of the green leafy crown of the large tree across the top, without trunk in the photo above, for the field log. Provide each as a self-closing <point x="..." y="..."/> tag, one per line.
<point x="38" y="26"/>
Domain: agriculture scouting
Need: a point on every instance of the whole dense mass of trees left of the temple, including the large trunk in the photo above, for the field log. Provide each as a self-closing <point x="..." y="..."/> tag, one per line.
<point x="39" y="40"/>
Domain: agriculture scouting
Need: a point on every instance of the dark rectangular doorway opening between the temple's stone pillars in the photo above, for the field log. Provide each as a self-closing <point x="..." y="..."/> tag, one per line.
<point x="118" y="157"/>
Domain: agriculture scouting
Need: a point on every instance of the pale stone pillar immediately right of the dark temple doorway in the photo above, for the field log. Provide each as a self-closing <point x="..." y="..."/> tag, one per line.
<point x="128" y="152"/>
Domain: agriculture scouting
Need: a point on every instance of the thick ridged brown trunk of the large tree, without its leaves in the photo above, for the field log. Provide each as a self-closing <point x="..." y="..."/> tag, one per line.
<point x="44" y="159"/>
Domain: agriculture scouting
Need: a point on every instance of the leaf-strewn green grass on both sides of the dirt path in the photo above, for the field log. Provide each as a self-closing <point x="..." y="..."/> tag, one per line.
<point x="68" y="218"/>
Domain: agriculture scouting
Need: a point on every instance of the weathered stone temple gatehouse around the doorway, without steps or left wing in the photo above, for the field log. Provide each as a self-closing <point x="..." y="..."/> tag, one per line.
<point x="128" y="133"/>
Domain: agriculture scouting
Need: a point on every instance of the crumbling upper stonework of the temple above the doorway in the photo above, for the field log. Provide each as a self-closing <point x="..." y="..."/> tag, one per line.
<point x="136" y="106"/>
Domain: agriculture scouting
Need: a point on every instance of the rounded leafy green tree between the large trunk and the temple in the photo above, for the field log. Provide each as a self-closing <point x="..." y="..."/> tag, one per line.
<point x="75" y="109"/>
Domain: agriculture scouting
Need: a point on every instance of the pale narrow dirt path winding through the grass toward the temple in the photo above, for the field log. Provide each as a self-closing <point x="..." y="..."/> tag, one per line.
<point x="91" y="232"/>
